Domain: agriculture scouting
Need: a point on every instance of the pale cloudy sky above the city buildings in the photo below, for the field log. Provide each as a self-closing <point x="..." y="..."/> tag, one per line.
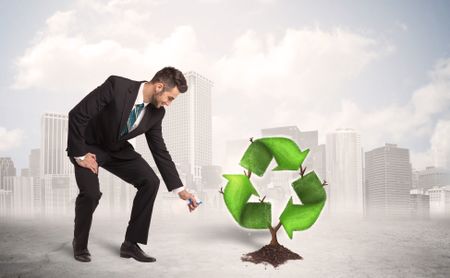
<point x="380" y="67"/>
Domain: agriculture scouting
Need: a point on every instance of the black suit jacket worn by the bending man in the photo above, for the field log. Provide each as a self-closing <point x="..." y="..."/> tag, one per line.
<point x="98" y="118"/>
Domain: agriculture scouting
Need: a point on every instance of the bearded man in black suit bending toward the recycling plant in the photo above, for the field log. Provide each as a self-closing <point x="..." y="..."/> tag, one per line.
<point x="99" y="127"/>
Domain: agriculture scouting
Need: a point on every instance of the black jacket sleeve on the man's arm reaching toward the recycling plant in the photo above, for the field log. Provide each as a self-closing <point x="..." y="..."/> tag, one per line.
<point x="162" y="157"/>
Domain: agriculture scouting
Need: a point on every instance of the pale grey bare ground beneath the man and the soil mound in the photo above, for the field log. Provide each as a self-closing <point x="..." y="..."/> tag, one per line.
<point x="208" y="242"/>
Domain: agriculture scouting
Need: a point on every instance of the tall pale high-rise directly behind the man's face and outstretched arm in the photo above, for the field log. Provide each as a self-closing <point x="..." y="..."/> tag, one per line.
<point x="187" y="130"/>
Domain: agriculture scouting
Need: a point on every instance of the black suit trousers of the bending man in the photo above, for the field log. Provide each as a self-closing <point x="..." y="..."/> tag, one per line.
<point x="134" y="171"/>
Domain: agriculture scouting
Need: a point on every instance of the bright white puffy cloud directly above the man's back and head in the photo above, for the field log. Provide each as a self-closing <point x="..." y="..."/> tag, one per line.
<point x="60" y="63"/>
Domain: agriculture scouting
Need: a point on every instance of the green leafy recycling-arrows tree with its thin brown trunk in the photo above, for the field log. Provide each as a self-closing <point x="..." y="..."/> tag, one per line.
<point x="258" y="215"/>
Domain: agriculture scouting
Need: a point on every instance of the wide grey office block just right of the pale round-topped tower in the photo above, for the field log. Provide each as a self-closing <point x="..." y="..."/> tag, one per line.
<point x="388" y="181"/>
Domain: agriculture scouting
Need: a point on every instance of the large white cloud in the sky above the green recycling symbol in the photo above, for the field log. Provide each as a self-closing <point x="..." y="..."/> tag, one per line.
<point x="302" y="63"/>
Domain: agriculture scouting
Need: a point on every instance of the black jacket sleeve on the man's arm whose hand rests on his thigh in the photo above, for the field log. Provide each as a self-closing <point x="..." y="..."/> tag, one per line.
<point x="85" y="110"/>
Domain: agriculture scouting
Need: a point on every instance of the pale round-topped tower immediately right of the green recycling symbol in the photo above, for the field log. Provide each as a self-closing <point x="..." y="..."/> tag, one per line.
<point x="344" y="173"/>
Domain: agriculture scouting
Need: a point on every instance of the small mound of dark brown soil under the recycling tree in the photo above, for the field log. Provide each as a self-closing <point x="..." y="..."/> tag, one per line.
<point x="272" y="254"/>
